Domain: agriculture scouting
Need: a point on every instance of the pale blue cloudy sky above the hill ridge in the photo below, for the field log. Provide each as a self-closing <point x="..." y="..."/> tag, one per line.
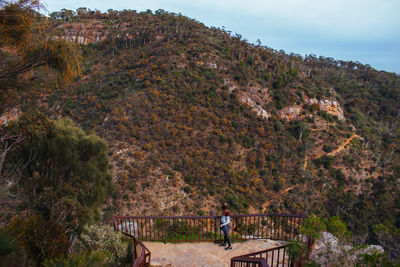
<point x="367" y="31"/>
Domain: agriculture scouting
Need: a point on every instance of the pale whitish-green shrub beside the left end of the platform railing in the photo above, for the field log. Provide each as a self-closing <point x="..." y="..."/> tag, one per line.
<point x="103" y="238"/>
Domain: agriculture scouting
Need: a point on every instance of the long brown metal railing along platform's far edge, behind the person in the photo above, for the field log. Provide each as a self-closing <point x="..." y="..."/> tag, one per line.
<point x="206" y="228"/>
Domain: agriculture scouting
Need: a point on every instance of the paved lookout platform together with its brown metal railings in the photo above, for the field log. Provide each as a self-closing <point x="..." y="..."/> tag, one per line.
<point x="257" y="240"/>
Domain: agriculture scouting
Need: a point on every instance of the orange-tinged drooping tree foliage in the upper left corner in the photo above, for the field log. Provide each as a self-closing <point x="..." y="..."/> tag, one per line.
<point x="26" y="47"/>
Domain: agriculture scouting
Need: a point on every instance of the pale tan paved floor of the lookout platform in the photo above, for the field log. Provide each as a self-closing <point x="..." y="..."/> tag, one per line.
<point x="203" y="253"/>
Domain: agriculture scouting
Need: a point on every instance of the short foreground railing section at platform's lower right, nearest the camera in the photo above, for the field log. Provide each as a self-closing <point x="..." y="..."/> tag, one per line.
<point x="273" y="257"/>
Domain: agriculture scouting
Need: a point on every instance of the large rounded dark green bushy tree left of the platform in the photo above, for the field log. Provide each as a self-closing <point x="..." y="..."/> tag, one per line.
<point x="67" y="173"/>
